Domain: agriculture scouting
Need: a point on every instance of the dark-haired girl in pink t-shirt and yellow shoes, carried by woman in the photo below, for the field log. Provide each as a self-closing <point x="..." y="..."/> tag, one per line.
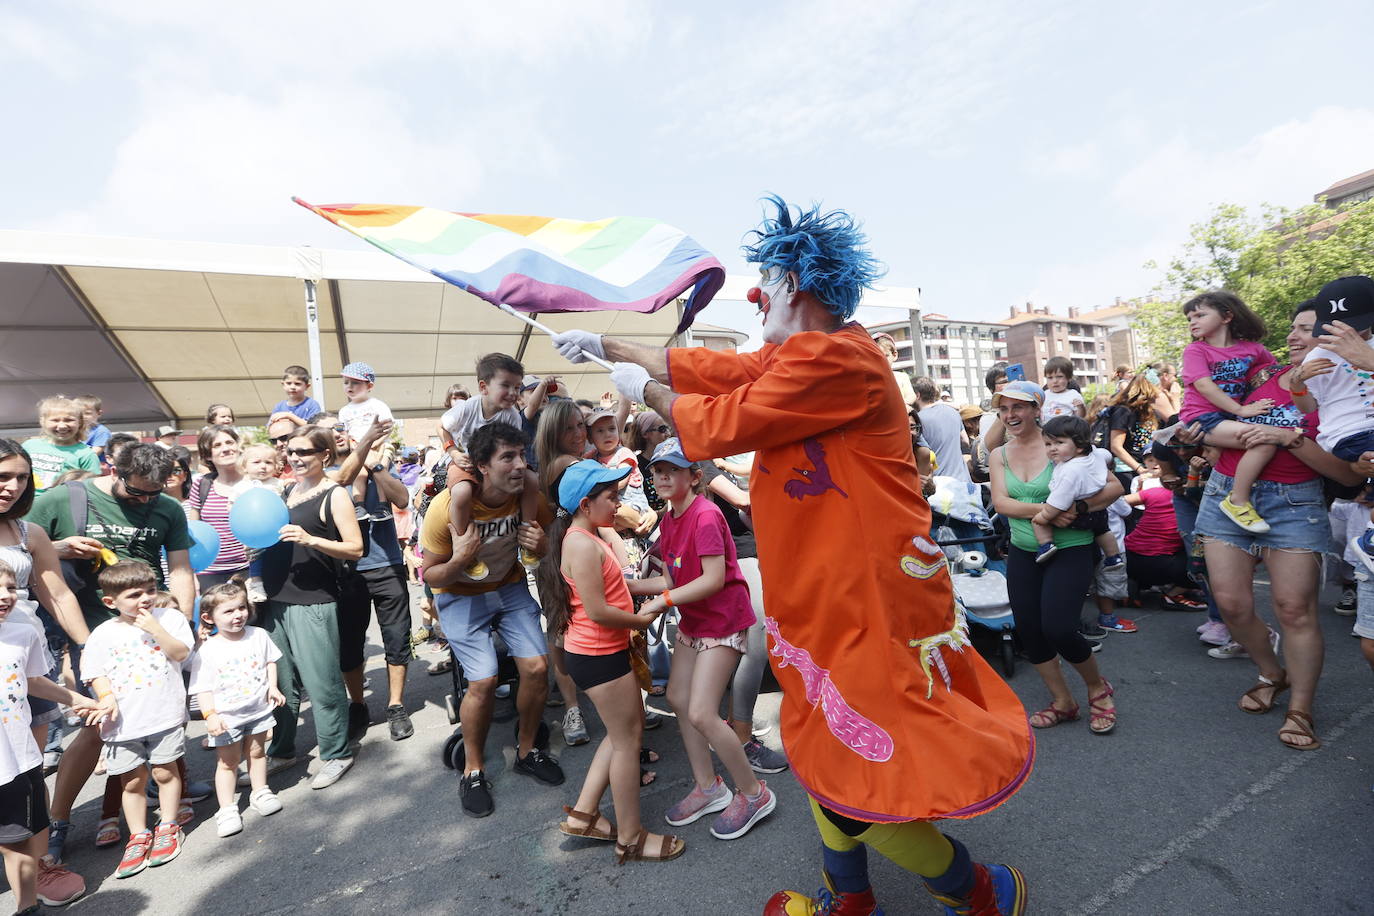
<point x="1225" y="355"/>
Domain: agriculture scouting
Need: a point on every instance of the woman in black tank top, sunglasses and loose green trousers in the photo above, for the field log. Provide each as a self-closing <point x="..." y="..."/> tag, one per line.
<point x="302" y="580"/>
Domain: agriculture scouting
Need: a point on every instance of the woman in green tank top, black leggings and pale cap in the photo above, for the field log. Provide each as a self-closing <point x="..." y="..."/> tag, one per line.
<point x="1048" y="599"/>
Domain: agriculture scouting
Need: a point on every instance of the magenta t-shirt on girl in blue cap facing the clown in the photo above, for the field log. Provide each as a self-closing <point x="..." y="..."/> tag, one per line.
<point x="684" y="540"/>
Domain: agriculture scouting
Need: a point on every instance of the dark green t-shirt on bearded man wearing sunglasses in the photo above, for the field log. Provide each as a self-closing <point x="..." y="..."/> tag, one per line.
<point x="133" y="531"/>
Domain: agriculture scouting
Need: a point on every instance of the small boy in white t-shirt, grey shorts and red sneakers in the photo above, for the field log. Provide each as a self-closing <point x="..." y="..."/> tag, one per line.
<point x="135" y="661"/>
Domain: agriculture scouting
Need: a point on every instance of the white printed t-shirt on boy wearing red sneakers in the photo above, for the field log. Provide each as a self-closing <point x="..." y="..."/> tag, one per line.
<point x="146" y="683"/>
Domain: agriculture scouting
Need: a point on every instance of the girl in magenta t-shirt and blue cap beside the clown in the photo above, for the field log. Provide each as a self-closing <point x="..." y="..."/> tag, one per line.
<point x="704" y="583"/>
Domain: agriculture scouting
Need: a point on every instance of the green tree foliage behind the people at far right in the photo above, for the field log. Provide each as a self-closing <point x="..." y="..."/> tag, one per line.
<point x="1274" y="260"/>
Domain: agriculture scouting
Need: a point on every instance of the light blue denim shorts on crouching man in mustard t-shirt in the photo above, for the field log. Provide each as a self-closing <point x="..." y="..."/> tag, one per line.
<point x="468" y="621"/>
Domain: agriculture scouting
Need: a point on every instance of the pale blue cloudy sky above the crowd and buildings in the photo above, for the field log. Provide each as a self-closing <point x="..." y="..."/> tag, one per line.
<point x="997" y="152"/>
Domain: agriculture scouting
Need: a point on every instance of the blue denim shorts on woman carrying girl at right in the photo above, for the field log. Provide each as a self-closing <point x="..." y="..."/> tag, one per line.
<point x="1296" y="514"/>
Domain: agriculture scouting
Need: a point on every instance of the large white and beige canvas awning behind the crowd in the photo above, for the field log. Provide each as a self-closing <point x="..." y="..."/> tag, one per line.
<point x="161" y="330"/>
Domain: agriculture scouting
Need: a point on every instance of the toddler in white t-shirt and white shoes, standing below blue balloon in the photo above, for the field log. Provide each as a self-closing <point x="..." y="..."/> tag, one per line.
<point x="234" y="675"/>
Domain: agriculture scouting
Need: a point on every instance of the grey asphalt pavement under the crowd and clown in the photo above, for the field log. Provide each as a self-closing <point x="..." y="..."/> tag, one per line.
<point x="1189" y="807"/>
